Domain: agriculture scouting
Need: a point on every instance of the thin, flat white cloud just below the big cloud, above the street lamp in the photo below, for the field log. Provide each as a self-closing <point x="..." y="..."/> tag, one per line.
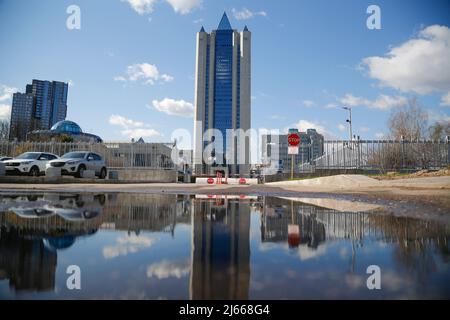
<point x="383" y="102"/>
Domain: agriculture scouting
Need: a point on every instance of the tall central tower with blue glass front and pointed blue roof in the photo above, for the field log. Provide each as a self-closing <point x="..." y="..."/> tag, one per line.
<point x="222" y="99"/>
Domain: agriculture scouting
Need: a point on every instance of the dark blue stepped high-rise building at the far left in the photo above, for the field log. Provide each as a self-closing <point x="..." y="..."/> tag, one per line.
<point x="48" y="105"/>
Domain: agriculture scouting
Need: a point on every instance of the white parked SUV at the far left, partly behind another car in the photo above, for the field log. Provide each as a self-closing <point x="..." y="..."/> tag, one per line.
<point x="30" y="163"/>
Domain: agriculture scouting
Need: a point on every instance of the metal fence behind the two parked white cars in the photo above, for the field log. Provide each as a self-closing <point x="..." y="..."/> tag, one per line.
<point x="116" y="154"/>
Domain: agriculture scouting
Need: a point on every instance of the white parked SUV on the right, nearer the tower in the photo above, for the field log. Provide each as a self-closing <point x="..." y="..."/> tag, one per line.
<point x="76" y="162"/>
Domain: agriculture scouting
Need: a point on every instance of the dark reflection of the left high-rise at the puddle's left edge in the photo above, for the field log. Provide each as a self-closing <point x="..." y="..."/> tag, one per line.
<point x="26" y="262"/>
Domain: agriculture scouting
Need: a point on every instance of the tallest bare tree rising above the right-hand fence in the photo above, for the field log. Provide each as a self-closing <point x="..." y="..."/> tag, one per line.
<point x="410" y="122"/>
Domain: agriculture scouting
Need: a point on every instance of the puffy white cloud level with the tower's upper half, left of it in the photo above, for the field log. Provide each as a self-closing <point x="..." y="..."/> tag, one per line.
<point x="146" y="72"/>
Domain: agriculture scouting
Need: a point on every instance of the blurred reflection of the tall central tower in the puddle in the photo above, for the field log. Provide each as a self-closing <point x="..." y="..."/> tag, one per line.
<point x="220" y="249"/>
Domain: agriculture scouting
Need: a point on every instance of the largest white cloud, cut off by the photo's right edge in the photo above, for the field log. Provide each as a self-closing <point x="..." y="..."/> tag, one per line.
<point x="419" y="65"/>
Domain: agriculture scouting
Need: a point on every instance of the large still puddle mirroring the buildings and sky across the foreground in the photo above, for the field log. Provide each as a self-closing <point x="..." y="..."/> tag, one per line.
<point x="158" y="246"/>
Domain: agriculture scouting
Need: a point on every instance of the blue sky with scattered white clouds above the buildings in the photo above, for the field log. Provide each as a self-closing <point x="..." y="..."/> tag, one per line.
<point x="131" y="65"/>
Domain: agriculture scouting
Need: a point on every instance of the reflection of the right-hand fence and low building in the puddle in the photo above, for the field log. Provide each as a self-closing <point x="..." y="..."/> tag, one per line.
<point x="327" y="224"/>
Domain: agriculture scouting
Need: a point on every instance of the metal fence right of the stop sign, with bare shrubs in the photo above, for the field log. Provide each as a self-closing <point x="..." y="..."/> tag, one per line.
<point x="384" y="155"/>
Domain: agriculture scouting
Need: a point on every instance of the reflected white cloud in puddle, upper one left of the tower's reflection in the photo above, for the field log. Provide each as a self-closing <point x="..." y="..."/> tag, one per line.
<point x="128" y="244"/>
